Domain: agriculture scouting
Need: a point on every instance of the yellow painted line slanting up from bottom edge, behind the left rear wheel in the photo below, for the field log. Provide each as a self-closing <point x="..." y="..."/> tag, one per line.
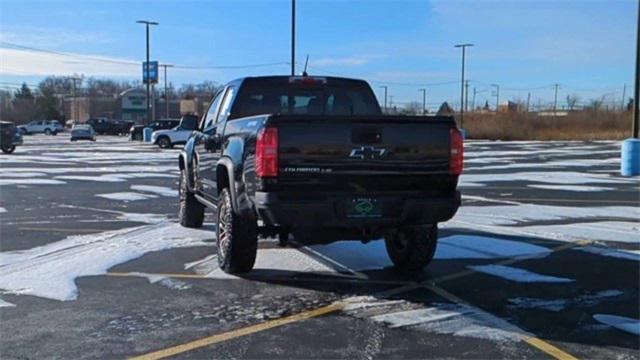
<point x="214" y="339"/>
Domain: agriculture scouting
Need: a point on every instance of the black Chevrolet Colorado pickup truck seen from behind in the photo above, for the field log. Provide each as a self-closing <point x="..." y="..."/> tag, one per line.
<point x="315" y="158"/>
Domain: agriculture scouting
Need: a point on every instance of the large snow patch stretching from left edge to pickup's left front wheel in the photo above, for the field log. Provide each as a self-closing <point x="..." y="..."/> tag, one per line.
<point x="50" y="271"/>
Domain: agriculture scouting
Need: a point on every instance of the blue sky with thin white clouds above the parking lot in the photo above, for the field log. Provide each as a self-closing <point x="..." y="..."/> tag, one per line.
<point x="587" y="47"/>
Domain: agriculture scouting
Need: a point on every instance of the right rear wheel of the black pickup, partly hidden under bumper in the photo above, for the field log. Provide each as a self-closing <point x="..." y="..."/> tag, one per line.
<point x="412" y="249"/>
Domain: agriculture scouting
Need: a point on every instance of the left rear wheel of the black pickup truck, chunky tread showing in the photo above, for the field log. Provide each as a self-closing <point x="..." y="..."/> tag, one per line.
<point x="237" y="237"/>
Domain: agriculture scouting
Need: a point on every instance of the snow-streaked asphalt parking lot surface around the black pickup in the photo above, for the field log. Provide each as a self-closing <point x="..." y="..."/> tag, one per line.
<point x="541" y="261"/>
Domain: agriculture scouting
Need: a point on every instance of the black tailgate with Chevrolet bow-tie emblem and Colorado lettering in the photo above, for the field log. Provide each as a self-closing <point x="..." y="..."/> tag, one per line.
<point x="370" y="153"/>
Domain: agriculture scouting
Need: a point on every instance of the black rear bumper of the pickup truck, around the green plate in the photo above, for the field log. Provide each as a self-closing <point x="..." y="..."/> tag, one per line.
<point x="330" y="211"/>
